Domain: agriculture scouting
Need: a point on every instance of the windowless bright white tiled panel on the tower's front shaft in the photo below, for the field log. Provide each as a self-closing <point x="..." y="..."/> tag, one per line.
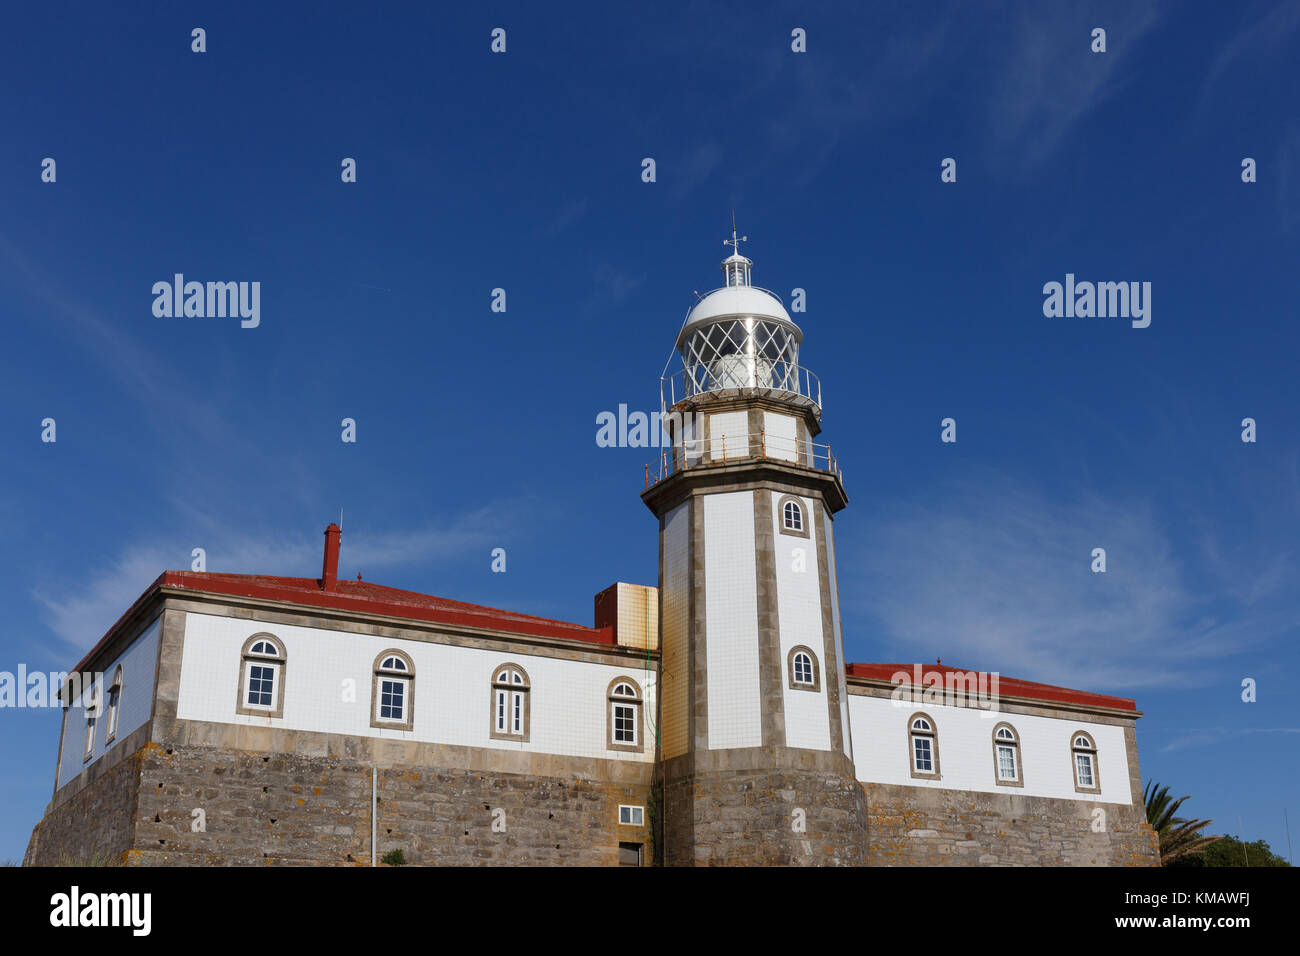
<point x="731" y="622"/>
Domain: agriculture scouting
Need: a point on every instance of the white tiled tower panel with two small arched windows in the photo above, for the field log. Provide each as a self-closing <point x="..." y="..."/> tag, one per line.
<point x="799" y="607"/>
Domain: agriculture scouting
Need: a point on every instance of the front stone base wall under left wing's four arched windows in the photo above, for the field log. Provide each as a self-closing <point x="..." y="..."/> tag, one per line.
<point x="289" y="808"/>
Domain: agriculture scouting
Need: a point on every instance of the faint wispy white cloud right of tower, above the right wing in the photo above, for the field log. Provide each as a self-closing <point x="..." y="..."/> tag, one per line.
<point x="995" y="576"/>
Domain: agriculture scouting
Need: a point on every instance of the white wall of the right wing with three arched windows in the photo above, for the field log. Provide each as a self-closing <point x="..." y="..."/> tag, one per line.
<point x="967" y="750"/>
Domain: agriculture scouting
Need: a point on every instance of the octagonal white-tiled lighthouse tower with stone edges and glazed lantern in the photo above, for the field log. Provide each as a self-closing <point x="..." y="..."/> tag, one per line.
<point x="755" y="721"/>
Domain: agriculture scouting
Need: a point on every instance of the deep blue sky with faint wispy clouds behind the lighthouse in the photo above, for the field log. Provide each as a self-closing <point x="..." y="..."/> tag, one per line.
<point x="522" y="171"/>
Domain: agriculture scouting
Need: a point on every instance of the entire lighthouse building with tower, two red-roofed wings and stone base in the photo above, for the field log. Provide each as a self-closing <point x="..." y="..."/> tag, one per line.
<point x="250" y="720"/>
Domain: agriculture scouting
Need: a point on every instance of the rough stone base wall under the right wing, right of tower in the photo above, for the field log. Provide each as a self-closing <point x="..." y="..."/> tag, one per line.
<point x="917" y="827"/>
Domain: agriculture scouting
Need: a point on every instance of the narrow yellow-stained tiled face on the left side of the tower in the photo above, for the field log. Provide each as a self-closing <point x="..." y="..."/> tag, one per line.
<point x="677" y="652"/>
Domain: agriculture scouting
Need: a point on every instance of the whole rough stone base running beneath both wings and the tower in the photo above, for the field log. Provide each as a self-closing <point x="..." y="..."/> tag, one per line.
<point x="266" y="808"/>
